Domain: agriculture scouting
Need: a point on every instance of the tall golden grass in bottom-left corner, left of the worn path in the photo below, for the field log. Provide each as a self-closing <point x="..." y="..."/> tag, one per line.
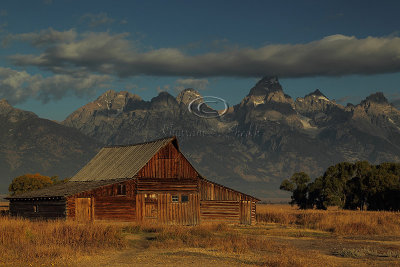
<point x="30" y="242"/>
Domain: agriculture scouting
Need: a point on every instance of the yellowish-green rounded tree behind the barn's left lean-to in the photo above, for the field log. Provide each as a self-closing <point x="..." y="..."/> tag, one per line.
<point x="29" y="182"/>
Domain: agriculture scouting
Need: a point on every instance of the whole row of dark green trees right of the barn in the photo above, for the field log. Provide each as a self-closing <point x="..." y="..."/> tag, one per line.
<point x="358" y="185"/>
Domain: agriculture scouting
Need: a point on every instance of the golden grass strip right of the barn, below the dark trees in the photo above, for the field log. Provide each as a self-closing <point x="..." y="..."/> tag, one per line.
<point x="343" y="222"/>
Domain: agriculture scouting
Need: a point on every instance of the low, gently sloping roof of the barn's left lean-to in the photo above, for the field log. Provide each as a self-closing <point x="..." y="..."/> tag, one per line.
<point x="65" y="189"/>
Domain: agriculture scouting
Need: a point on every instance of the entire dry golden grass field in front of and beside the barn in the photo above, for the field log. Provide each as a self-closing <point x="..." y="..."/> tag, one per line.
<point x="283" y="236"/>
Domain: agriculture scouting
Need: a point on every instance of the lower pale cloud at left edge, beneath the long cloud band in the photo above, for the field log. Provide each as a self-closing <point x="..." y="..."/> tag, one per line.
<point x="17" y="86"/>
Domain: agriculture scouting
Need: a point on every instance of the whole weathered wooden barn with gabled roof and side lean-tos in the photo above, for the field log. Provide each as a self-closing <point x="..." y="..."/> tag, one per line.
<point x="151" y="182"/>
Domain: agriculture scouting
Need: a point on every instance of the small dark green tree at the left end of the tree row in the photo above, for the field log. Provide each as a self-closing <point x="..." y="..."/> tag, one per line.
<point x="298" y="185"/>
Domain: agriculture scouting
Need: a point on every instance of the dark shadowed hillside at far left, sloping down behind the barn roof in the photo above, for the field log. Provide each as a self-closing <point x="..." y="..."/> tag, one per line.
<point x="30" y="144"/>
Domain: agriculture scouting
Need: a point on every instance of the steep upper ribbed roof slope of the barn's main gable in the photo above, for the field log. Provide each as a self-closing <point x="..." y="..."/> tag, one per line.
<point x="116" y="162"/>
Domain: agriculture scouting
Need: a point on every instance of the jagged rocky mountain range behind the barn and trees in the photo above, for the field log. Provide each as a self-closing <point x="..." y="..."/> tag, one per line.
<point x="255" y="145"/>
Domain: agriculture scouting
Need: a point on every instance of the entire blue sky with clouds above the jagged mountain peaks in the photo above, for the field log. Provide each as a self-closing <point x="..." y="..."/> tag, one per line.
<point x="58" y="55"/>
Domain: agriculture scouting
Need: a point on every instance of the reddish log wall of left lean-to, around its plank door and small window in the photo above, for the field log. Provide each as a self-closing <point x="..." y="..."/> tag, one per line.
<point x="107" y="204"/>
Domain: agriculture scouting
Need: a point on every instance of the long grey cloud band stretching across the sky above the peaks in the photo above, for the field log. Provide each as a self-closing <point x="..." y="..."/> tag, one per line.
<point x="115" y="54"/>
